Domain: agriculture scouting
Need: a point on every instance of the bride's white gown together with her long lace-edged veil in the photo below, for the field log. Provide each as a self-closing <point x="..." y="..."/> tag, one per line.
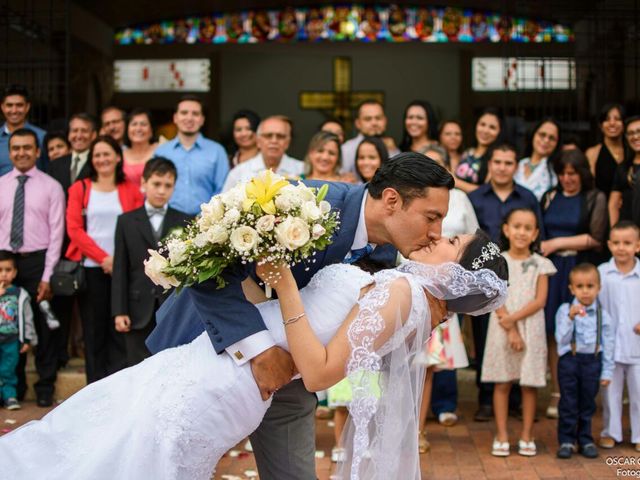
<point x="175" y="414"/>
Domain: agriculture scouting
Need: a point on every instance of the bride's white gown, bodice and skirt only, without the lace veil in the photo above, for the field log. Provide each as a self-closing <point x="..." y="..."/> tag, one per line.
<point x="172" y="416"/>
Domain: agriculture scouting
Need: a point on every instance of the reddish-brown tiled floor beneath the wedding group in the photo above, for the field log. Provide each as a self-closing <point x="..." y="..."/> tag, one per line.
<point x="459" y="452"/>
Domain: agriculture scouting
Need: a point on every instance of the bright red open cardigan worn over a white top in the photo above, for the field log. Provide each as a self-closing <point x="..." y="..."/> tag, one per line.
<point x="81" y="243"/>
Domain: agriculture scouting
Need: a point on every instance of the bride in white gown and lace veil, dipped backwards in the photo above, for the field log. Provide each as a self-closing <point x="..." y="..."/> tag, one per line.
<point x="174" y="415"/>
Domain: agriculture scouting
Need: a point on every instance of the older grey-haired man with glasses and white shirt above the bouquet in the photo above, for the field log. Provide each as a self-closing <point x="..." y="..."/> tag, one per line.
<point x="274" y="138"/>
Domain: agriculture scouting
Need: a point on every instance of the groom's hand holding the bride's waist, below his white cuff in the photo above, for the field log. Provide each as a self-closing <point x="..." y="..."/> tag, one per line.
<point x="272" y="369"/>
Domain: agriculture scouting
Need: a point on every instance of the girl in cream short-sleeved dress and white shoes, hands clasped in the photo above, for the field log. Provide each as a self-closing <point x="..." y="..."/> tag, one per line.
<point x="516" y="348"/>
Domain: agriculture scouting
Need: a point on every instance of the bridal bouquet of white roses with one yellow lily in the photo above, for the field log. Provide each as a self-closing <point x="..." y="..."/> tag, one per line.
<point x="265" y="219"/>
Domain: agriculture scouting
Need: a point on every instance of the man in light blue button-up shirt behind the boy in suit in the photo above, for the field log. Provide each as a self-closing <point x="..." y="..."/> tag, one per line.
<point x="202" y="164"/>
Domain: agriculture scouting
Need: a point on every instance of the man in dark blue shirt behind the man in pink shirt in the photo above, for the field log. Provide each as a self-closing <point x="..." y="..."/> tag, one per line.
<point x="15" y="109"/>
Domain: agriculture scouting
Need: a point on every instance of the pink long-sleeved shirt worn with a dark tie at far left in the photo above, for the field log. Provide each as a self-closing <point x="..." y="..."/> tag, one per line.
<point x="44" y="206"/>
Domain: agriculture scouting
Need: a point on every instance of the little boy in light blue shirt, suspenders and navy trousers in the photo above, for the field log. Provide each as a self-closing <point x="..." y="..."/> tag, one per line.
<point x="585" y="335"/>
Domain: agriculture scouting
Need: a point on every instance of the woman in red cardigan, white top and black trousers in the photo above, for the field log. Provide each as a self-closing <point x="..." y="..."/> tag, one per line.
<point x="92" y="211"/>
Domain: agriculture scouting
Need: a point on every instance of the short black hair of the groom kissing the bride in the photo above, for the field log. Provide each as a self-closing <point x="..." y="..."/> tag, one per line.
<point x="409" y="174"/>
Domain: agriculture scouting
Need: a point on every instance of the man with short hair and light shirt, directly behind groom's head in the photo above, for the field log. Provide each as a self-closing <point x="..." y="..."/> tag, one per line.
<point x="370" y="122"/>
